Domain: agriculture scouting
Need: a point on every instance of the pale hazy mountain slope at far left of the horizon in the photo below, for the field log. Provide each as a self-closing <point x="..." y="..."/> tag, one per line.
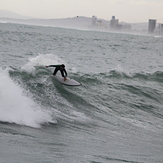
<point x="12" y="15"/>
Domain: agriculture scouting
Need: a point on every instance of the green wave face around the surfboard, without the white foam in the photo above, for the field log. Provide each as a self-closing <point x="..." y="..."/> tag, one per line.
<point x="101" y="96"/>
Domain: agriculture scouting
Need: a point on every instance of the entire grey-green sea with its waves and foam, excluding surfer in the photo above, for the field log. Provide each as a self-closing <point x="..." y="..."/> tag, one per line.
<point x="116" y="116"/>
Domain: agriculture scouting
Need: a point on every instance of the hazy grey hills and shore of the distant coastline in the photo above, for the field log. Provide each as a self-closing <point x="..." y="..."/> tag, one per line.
<point x="78" y="22"/>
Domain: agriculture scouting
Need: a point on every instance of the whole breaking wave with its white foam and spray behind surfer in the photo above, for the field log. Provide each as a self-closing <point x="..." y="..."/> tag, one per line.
<point x="39" y="99"/>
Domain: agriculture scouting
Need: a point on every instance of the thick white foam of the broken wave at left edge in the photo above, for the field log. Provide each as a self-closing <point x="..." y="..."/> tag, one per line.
<point x="16" y="107"/>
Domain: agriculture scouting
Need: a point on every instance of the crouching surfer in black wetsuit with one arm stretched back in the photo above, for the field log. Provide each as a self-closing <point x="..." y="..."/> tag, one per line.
<point x="61" y="68"/>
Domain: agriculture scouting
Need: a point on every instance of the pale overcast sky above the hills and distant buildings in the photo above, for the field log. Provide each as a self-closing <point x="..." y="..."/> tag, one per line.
<point x="125" y="10"/>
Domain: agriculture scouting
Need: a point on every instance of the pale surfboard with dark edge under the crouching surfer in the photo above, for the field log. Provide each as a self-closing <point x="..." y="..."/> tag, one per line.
<point x="68" y="82"/>
